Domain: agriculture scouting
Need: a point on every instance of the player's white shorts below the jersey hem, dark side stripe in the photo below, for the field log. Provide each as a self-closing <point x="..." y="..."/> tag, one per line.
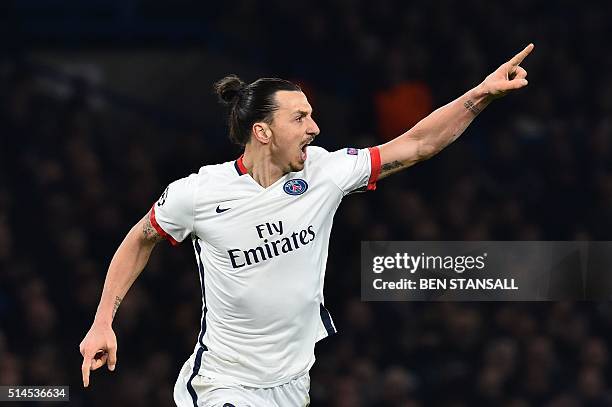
<point x="199" y="391"/>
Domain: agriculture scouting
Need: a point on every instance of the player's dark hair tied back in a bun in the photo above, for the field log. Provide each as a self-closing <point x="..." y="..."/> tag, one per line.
<point x="250" y="103"/>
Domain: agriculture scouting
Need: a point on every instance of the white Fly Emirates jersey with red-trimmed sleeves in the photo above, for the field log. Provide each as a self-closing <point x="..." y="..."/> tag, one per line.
<point x="261" y="254"/>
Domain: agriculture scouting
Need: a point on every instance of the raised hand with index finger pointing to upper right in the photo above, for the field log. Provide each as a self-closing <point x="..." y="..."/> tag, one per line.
<point x="509" y="76"/>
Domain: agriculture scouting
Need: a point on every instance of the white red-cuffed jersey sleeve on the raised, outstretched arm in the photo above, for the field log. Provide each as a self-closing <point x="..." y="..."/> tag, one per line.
<point x="354" y="169"/>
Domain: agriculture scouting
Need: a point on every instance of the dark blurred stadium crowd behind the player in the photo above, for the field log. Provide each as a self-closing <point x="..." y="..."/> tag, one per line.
<point x="103" y="103"/>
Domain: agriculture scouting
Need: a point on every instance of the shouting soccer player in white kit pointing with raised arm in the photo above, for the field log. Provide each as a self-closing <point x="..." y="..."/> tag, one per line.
<point x="260" y="228"/>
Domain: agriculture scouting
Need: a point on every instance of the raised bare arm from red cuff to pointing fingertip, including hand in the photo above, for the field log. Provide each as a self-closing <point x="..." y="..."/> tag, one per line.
<point x="446" y="124"/>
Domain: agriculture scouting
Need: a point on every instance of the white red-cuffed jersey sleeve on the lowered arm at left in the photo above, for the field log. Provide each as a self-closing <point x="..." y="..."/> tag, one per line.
<point x="173" y="214"/>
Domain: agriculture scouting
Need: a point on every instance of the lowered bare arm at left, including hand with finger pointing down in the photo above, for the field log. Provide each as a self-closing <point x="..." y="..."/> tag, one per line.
<point x="99" y="346"/>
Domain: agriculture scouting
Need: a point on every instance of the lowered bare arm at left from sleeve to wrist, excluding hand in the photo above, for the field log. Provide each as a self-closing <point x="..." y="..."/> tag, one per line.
<point x="128" y="262"/>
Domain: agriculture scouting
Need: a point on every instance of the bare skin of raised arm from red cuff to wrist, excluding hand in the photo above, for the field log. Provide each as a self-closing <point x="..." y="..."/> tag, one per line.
<point x="433" y="133"/>
